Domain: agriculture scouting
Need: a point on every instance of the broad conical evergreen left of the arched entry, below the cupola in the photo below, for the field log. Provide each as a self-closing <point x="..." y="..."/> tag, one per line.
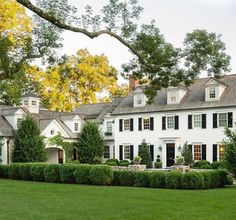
<point x="28" y="144"/>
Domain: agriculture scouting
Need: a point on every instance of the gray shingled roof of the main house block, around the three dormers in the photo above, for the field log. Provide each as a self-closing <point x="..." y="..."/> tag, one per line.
<point x="194" y="99"/>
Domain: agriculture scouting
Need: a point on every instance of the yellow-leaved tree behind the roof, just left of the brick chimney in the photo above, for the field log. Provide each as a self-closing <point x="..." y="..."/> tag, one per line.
<point x="75" y="80"/>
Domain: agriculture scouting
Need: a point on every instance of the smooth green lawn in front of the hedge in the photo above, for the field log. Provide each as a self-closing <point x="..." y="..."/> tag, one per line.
<point x="34" y="200"/>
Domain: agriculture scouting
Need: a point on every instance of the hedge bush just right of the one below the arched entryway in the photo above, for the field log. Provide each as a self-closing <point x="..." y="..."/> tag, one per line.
<point x="67" y="173"/>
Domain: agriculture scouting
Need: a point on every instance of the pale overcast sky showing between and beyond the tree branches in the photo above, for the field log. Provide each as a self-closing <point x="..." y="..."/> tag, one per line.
<point x="174" y="19"/>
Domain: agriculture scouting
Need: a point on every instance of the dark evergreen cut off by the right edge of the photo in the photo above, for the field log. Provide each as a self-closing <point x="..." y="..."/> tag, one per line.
<point x="230" y="150"/>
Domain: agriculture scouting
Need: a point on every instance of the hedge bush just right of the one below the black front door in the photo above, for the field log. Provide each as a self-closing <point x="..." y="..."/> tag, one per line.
<point x="193" y="180"/>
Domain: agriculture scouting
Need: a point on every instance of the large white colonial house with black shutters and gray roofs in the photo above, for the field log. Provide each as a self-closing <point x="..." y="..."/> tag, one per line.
<point x="196" y="115"/>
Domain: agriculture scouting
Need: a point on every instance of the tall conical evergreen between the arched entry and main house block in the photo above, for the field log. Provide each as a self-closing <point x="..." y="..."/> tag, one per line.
<point x="90" y="145"/>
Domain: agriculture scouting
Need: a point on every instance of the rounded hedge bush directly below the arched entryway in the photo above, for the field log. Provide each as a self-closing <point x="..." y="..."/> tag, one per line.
<point x="52" y="173"/>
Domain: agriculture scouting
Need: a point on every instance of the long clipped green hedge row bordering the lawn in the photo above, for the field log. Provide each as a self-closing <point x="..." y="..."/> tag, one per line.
<point x="104" y="175"/>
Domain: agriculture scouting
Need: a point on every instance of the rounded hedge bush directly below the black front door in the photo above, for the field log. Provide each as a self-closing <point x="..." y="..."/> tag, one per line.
<point x="173" y="180"/>
